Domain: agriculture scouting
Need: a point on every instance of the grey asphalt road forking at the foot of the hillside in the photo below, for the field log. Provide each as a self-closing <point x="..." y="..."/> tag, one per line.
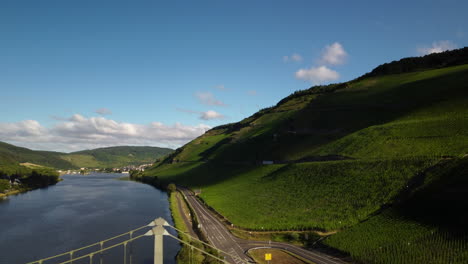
<point x="219" y="236"/>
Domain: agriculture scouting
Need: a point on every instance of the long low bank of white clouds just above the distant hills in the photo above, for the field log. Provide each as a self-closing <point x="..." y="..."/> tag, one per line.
<point x="79" y="132"/>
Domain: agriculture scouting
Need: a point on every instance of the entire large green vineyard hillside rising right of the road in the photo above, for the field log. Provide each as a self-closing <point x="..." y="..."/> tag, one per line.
<point x="345" y="156"/>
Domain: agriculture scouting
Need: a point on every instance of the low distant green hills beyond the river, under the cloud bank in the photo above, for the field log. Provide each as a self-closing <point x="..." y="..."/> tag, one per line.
<point x="97" y="158"/>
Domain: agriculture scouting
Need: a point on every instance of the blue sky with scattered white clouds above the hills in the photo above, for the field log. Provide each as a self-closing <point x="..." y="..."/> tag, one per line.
<point x="85" y="74"/>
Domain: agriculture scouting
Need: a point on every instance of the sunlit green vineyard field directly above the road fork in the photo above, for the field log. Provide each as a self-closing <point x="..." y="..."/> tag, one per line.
<point x="324" y="195"/>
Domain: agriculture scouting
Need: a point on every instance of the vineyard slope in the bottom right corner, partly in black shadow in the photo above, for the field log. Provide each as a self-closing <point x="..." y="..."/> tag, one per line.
<point x="429" y="227"/>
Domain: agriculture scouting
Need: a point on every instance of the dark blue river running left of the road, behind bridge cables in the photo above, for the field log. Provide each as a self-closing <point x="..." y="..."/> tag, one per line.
<point x="81" y="210"/>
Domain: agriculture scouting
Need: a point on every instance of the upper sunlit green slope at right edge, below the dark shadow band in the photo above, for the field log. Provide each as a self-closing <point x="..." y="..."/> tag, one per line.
<point x="432" y="137"/>
